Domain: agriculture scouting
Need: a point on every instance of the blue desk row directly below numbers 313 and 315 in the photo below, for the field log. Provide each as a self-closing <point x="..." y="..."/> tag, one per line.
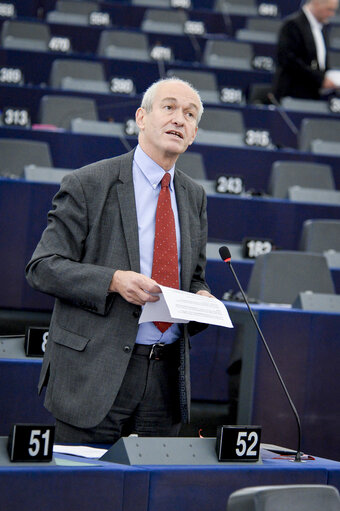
<point x="253" y="164"/>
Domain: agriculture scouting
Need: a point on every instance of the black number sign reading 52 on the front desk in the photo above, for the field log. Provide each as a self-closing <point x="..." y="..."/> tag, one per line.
<point x="238" y="443"/>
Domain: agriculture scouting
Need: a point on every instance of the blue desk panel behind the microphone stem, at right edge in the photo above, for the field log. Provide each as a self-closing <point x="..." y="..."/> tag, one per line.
<point x="306" y="348"/>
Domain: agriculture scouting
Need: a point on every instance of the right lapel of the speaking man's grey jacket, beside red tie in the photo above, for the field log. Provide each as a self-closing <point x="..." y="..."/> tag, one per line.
<point x="183" y="214"/>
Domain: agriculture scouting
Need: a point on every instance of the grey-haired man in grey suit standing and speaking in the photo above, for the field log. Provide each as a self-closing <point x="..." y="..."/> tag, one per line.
<point x="106" y="375"/>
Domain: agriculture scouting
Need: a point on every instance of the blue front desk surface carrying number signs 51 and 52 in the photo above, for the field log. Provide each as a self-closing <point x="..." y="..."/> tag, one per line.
<point x="88" y="485"/>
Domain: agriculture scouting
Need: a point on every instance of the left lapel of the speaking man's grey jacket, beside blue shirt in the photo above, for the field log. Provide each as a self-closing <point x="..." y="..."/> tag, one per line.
<point x="126" y="198"/>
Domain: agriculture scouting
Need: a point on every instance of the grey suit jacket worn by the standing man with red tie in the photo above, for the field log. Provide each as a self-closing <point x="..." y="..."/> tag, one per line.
<point x="92" y="231"/>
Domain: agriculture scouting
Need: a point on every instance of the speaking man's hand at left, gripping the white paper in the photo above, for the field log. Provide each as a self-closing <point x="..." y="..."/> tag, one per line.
<point x="134" y="287"/>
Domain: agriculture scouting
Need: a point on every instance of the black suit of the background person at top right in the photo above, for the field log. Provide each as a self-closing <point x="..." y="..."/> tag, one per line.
<point x="298" y="73"/>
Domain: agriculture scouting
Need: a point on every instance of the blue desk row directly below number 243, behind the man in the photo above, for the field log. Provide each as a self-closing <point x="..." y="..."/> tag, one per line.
<point x="229" y="218"/>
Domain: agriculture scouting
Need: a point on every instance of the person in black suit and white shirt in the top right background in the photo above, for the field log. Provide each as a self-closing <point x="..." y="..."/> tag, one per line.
<point x="302" y="52"/>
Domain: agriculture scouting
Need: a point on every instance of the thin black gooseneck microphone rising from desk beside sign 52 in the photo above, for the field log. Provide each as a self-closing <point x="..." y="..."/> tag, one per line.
<point x="226" y="257"/>
